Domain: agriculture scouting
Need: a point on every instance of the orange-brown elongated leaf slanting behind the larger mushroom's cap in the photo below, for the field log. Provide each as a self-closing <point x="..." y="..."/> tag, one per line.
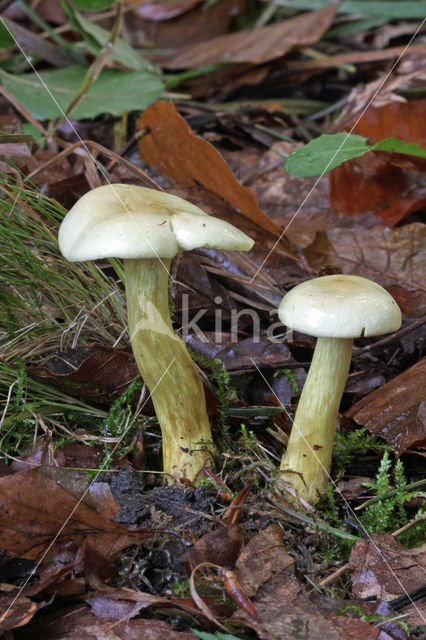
<point x="168" y="135"/>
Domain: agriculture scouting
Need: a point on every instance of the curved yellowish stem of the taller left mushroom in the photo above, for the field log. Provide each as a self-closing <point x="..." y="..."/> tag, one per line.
<point x="167" y="369"/>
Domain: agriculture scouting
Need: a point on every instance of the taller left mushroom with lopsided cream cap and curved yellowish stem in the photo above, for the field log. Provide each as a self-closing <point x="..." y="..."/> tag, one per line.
<point x="147" y="228"/>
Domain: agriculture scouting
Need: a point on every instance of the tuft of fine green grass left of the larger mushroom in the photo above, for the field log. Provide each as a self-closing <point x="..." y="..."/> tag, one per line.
<point x="45" y="300"/>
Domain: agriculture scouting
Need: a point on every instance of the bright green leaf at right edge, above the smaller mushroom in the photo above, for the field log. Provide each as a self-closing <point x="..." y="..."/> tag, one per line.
<point x="331" y="150"/>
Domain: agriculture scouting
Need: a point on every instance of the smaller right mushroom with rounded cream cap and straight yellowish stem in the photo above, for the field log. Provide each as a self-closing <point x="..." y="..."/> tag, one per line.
<point x="336" y="309"/>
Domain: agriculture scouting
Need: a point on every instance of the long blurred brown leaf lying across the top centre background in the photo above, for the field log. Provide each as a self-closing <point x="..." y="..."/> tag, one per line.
<point x="258" y="45"/>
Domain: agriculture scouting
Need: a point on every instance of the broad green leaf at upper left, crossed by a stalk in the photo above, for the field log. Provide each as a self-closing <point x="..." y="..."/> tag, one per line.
<point x="48" y="95"/>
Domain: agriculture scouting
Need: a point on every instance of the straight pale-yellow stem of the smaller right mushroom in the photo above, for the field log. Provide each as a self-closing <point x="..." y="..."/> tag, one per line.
<point x="305" y="465"/>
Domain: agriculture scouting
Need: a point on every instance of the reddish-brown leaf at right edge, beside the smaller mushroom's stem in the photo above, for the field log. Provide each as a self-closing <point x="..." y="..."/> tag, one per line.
<point x="397" y="411"/>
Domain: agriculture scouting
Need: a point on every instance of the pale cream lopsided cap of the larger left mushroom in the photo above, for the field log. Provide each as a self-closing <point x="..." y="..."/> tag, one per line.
<point x="126" y="221"/>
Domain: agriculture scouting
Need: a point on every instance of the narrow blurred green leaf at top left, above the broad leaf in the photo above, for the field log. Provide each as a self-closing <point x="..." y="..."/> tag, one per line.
<point x="95" y="38"/>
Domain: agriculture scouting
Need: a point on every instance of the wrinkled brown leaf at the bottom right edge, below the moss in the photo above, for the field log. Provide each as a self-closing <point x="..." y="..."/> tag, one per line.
<point x="381" y="567"/>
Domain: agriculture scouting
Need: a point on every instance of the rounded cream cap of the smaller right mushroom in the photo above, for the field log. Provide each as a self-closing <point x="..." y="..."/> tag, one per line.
<point x="340" y="306"/>
